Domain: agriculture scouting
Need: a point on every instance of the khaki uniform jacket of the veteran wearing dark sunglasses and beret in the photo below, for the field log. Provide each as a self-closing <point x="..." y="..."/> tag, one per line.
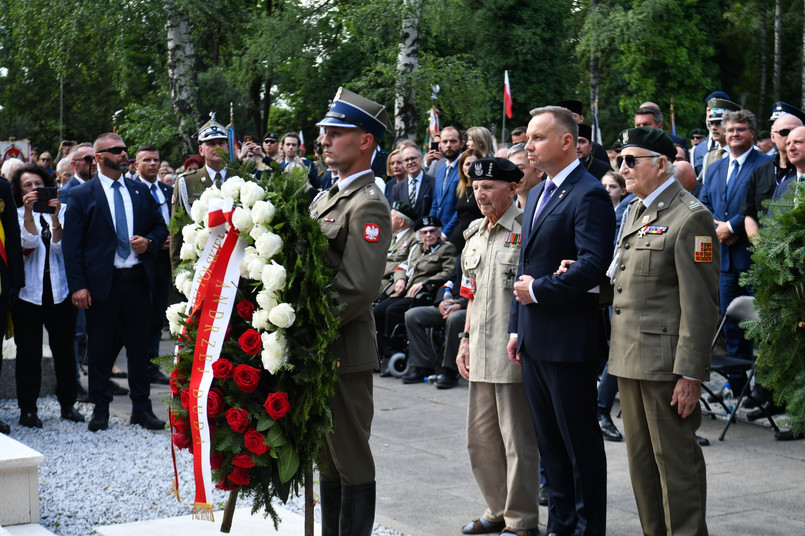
<point x="665" y="310"/>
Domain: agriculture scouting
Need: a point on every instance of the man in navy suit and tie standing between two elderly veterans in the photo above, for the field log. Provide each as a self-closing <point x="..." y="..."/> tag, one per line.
<point x="555" y="321"/>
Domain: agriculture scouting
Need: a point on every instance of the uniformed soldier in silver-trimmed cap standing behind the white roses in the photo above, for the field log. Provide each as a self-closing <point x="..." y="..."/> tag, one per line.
<point x="189" y="186"/>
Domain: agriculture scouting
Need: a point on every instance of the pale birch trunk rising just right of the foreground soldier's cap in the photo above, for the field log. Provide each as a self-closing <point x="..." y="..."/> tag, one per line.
<point x="405" y="112"/>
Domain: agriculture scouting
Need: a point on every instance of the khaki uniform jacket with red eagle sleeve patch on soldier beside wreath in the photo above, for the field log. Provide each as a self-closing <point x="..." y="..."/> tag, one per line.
<point x="357" y="222"/>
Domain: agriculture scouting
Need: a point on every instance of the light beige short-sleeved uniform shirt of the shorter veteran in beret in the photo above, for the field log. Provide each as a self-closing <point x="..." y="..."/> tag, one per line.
<point x="489" y="265"/>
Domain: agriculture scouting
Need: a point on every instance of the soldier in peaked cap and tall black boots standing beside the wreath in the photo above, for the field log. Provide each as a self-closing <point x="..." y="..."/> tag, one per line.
<point x="354" y="215"/>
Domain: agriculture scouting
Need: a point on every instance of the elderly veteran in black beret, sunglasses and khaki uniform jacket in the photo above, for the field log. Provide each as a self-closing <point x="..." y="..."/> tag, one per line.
<point x="665" y="272"/>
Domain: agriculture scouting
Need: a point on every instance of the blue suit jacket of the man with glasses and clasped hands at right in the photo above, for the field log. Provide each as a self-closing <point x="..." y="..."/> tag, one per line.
<point x="714" y="196"/>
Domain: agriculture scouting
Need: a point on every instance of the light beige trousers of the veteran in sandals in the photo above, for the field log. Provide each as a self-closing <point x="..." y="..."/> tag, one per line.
<point x="503" y="453"/>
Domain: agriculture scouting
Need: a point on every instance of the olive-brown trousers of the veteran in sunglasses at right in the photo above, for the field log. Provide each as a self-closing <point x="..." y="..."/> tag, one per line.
<point x="665" y="462"/>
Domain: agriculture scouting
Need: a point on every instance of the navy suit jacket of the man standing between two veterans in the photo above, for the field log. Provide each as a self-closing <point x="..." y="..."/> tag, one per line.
<point x="577" y="223"/>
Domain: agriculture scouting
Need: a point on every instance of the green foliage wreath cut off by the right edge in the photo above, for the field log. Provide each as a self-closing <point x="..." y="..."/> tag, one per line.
<point x="777" y="276"/>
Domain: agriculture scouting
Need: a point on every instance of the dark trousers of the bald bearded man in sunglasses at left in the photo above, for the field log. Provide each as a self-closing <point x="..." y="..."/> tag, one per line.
<point x="125" y="313"/>
